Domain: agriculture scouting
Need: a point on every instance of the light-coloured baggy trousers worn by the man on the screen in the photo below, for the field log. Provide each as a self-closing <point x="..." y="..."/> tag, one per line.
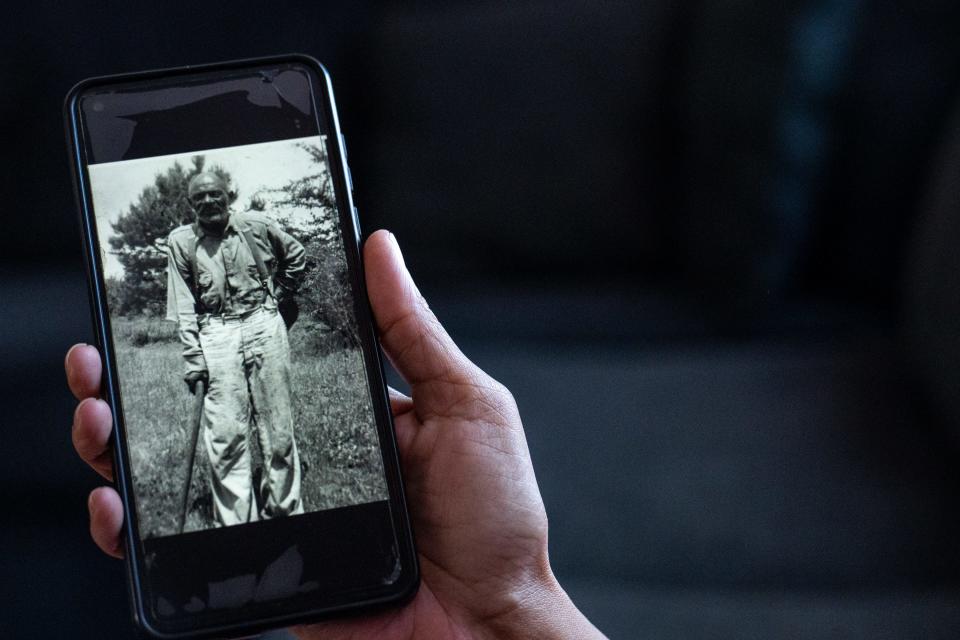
<point x="248" y="360"/>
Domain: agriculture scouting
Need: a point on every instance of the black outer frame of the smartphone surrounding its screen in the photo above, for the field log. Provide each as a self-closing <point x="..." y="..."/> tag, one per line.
<point x="407" y="583"/>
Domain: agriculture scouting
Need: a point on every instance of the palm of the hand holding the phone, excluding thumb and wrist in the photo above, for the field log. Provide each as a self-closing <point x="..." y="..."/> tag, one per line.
<point x="476" y="520"/>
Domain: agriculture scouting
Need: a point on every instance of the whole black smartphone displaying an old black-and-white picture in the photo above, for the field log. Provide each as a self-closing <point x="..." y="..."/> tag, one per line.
<point x="254" y="450"/>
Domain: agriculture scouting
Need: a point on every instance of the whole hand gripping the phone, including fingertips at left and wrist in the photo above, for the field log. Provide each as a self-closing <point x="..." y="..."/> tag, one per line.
<point x="478" y="517"/>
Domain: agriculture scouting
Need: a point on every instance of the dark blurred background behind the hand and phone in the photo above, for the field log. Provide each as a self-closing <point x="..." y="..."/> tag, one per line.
<point x="708" y="245"/>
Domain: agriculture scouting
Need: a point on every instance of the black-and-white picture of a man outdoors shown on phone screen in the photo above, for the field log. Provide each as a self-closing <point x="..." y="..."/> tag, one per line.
<point x="243" y="380"/>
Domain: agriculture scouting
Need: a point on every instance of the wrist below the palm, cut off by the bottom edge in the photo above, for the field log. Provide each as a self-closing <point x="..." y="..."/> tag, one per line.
<point x="544" y="610"/>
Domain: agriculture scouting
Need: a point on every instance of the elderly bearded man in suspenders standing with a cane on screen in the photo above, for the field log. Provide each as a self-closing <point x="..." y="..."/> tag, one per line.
<point x="227" y="272"/>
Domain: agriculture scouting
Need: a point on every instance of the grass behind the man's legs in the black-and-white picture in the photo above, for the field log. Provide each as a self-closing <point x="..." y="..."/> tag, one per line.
<point x="333" y="422"/>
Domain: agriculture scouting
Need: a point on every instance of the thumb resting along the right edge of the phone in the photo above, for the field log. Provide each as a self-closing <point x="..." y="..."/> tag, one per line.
<point x="412" y="337"/>
